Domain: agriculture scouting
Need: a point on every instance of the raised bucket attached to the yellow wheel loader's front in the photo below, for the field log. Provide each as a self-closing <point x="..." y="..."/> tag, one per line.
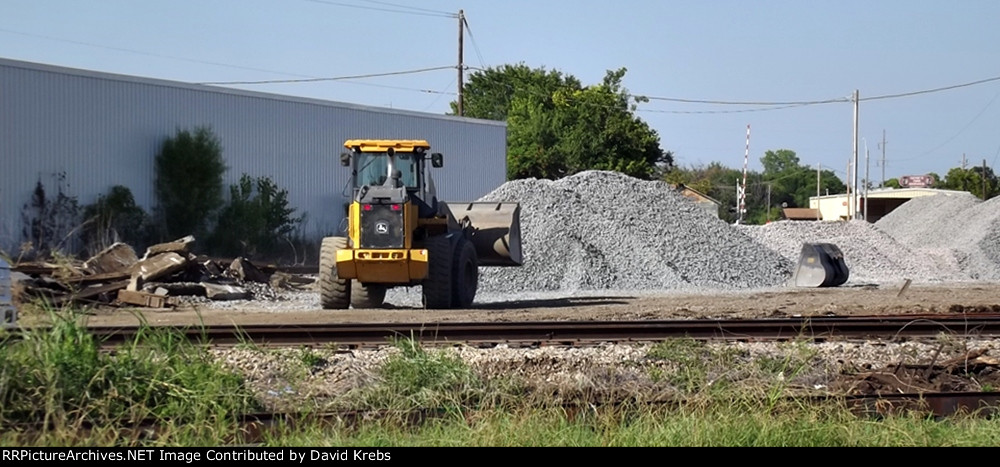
<point x="496" y="231"/>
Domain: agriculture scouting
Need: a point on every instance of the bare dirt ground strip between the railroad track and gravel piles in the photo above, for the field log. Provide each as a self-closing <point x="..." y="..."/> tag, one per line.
<point x="303" y="306"/>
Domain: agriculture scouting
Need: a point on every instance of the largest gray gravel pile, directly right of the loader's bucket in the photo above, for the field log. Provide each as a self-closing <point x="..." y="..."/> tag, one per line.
<point x="601" y="230"/>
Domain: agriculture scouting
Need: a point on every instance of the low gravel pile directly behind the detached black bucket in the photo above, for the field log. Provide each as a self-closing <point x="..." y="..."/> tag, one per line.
<point x="871" y="255"/>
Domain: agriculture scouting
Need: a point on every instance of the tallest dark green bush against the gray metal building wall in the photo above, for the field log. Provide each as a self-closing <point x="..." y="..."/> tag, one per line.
<point x="188" y="186"/>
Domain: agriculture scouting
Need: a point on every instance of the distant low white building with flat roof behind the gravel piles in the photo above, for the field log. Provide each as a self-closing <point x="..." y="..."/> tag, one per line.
<point x="881" y="201"/>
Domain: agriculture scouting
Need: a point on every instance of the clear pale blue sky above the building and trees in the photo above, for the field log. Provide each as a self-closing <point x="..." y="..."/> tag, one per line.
<point x="719" y="50"/>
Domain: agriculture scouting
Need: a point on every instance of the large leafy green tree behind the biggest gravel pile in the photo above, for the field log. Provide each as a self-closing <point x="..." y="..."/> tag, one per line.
<point x="557" y="127"/>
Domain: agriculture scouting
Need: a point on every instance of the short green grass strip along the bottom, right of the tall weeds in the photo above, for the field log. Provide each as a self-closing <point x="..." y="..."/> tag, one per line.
<point x="743" y="425"/>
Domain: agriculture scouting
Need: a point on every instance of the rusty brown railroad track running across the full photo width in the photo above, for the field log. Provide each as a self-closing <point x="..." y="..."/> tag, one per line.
<point x="574" y="333"/>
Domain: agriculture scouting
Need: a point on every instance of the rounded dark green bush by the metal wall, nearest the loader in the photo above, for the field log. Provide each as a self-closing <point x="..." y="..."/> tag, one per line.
<point x="256" y="219"/>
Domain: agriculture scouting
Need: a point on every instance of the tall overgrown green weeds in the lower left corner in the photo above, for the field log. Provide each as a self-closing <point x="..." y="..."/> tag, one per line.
<point x="83" y="395"/>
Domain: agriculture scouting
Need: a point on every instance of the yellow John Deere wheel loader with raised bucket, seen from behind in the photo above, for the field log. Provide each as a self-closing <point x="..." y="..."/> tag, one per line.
<point x="400" y="234"/>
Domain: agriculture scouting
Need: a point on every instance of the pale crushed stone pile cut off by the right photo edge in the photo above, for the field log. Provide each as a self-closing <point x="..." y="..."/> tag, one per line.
<point x="955" y="228"/>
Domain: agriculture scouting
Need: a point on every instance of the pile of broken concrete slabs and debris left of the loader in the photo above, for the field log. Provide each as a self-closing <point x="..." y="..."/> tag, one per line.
<point x="168" y="274"/>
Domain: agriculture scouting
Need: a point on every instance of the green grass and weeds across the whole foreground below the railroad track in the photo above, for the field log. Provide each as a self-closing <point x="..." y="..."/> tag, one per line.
<point x="424" y="397"/>
